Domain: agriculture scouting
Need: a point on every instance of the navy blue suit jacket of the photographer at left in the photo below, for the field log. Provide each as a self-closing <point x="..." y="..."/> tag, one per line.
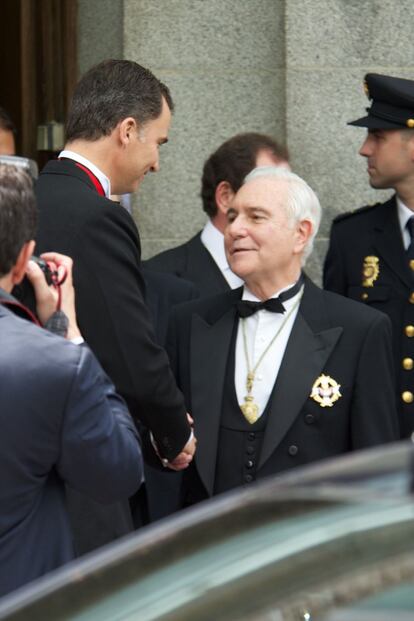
<point x="61" y="422"/>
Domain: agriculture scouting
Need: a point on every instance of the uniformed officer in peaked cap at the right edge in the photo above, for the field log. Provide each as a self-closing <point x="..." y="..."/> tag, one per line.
<point x="371" y="250"/>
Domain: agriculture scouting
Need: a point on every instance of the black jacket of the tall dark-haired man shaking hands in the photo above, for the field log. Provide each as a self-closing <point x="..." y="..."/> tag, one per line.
<point x="103" y="241"/>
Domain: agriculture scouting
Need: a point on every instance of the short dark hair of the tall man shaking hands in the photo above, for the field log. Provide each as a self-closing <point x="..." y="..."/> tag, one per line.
<point x="110" y="92"/>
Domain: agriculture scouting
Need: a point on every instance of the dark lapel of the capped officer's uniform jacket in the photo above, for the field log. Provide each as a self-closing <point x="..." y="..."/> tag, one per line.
<point x="388" y="242"/>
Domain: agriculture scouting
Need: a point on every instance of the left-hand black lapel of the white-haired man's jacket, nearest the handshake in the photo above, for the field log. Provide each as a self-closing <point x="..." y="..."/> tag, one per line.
<point x="210" y="344"/>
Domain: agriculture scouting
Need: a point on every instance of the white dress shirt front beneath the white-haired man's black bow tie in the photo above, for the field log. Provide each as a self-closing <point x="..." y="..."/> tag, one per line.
<point x="260" y="329"/>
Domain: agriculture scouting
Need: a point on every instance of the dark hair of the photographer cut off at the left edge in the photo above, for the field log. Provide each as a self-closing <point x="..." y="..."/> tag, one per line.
<point x="18" y="214"/>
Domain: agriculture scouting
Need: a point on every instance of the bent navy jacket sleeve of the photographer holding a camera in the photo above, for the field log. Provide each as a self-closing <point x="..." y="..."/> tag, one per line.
<point x="100" y="451"/>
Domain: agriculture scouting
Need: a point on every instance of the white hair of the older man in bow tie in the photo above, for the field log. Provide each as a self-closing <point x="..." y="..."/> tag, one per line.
<point x="301" y="201"/>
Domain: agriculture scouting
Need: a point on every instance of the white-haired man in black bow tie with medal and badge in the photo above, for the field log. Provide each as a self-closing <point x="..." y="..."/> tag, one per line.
<point x="279" y="373"/>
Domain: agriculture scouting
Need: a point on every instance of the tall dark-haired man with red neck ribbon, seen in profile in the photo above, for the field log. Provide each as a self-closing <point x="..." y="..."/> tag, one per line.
<point x="118" y="120"/>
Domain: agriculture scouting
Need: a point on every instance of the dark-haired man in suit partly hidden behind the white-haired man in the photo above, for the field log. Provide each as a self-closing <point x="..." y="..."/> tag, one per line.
<point x="202" y="259"/>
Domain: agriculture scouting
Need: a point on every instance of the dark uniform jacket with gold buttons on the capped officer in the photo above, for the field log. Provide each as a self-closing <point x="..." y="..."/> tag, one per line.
<point x="375" y="231"/>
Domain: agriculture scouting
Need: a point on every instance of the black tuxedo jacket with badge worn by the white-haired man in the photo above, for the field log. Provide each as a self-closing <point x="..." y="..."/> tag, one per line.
<point x="331" y="335"/>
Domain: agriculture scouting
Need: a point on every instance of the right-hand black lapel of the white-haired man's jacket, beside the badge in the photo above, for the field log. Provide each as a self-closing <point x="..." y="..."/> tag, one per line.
<point x="305" y="357"/>
